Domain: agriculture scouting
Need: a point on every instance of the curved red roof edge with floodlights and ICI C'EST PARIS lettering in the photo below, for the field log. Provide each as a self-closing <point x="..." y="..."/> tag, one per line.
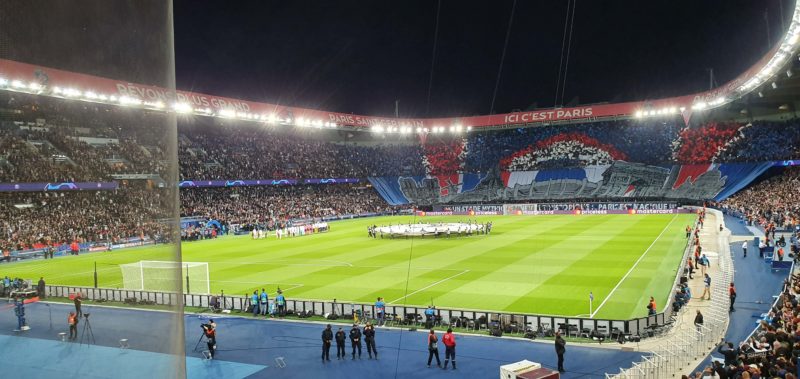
<point x="22" y="77"/>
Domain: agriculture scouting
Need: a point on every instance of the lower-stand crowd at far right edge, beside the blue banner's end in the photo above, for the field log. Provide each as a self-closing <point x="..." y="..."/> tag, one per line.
<point x="771" y="201"/>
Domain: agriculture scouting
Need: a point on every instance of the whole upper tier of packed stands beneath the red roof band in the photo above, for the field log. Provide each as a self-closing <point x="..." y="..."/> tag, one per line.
<point x="76" y="141"/>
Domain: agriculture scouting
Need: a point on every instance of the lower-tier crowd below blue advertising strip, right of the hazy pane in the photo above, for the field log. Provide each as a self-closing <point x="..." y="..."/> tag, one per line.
<point x="269" y="204"/>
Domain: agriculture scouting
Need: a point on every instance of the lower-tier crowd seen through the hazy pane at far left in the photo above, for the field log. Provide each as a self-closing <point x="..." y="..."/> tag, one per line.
<point x="38" y="219"/>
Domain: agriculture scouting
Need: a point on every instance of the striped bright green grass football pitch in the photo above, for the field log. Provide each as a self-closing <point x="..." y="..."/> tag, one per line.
<point x="529" y="264"/>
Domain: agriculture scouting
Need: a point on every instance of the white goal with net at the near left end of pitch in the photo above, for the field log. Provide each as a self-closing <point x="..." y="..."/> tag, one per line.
<point x="162" y="276"/>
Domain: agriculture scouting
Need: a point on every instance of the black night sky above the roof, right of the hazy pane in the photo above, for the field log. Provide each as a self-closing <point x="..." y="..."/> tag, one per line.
<point x="361" y="56"/>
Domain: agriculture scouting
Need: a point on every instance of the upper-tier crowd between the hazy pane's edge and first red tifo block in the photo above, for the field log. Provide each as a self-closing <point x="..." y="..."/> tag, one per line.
<point x="248" y="152"/>
